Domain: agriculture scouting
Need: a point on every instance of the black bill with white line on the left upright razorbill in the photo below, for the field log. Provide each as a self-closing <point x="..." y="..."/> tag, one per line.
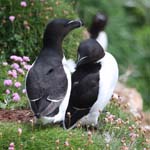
<point x="74" y="24"/>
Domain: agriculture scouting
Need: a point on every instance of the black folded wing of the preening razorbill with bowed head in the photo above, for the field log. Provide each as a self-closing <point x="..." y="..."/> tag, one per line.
<point x="83" y="96"/>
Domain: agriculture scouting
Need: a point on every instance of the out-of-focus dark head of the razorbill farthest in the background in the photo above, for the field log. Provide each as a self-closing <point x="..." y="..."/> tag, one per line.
<point x="98" y="24"/>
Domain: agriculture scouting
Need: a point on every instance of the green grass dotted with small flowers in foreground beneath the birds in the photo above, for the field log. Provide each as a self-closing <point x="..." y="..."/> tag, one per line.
<point x="52" y="137"/>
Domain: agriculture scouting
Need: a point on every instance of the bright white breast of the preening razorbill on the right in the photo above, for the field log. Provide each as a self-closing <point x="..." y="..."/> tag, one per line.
<point x="108" y="79"/>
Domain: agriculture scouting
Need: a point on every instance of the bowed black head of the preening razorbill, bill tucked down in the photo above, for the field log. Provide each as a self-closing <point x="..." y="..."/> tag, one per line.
<point x="89" y="51"/>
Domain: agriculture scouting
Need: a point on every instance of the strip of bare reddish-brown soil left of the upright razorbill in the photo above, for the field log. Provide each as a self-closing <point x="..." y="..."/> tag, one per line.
<point x="15" y="115"/>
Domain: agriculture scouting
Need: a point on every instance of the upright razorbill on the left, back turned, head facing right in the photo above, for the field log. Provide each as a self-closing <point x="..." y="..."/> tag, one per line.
<point x="48" y="83"/>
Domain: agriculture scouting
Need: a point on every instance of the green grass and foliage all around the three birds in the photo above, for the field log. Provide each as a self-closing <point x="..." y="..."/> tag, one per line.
<point x="22" y="36"/>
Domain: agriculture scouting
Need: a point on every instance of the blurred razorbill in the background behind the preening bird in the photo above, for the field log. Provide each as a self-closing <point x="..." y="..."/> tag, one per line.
<point x="97" y="28"/>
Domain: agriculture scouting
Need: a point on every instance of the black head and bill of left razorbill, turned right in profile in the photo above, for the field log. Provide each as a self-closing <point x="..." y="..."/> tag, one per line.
<point x="57" y="29"/>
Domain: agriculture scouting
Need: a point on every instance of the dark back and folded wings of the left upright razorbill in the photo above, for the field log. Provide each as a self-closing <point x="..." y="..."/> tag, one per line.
<point x="46" y="88"/>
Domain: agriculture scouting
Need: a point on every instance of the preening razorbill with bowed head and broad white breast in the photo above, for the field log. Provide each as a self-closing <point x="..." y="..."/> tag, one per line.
<point x="93" y="84"/>
